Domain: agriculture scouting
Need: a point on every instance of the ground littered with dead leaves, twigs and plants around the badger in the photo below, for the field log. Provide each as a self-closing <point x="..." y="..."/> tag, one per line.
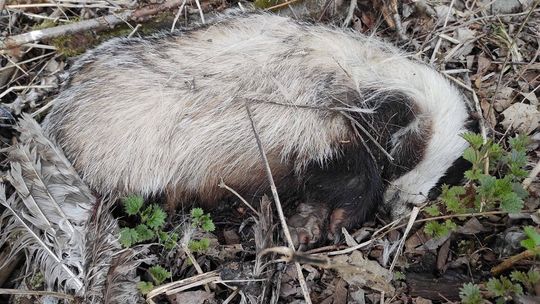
<point x="477" y="243"/>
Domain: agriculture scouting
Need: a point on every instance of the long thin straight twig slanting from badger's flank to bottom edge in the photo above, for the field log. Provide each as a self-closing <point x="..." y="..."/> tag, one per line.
<point x="286" y="231"/>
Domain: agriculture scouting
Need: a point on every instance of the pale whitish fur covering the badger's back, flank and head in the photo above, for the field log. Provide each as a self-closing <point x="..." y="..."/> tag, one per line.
<point x="152" y="114"/>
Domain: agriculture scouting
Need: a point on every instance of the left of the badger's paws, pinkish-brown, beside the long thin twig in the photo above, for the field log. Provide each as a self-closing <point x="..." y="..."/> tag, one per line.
<point x="307" y="224"/>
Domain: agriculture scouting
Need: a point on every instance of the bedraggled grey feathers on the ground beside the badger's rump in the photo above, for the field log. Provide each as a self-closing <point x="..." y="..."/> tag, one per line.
<point x="56" y="220"/>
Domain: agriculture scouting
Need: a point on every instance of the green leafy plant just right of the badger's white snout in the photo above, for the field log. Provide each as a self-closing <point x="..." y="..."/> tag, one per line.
<point x="493" y="182"/>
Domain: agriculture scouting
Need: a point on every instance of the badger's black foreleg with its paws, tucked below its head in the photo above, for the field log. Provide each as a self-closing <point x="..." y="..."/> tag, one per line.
<point x="342" y="193"/>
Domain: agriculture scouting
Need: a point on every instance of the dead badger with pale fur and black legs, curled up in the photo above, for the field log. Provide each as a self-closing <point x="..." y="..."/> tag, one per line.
<point x="167" y="115"/>
